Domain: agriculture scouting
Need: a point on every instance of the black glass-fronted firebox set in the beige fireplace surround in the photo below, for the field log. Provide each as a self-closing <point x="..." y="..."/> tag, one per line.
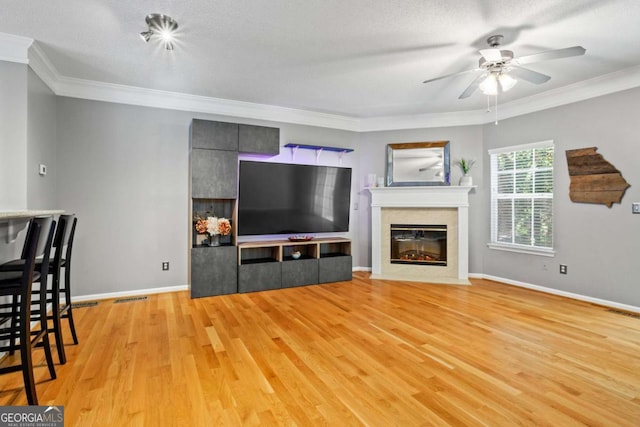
<point x="419" y="244"/>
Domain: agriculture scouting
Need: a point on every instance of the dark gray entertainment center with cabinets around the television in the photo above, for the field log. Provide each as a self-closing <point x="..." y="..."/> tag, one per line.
<point x="256" y="265"/>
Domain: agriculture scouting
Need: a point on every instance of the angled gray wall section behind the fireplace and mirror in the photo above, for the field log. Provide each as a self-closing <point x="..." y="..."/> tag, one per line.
<point x="465" y="141"/>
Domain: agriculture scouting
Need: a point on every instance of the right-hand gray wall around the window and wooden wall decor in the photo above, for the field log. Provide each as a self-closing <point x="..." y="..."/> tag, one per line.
<point x="600" y="245"/>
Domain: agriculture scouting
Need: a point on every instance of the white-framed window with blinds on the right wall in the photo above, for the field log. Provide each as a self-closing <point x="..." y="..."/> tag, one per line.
<point x="522" y="198"/>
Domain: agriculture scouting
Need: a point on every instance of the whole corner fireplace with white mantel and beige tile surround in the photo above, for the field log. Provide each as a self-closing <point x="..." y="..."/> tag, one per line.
<point x="420" y="234"/>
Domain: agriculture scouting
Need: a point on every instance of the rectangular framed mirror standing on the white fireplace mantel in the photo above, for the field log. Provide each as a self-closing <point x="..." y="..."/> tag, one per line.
<point x="418" y="163"/>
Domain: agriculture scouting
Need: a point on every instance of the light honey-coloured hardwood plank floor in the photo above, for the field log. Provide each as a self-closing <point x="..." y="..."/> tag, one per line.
<point x="365" y="352"/>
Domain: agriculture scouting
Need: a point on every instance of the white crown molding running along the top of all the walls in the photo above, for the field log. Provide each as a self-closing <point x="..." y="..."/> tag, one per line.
<point x="16" y="47"/>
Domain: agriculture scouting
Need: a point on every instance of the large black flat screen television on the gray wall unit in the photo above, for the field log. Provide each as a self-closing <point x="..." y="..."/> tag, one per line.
<point x="282" y="198"/>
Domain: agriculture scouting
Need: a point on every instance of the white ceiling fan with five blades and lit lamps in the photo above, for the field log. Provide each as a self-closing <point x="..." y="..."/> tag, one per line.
<point x="500" y="70"/>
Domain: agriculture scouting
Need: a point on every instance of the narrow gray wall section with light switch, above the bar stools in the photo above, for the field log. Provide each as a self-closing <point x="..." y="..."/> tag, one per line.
<point x="41" y="144"/>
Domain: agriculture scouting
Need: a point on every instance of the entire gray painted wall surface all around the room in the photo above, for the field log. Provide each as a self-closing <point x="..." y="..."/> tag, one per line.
<point x="124" y="171"/>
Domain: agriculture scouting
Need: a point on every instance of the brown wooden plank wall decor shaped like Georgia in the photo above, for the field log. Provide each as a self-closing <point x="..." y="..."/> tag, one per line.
<point x="593" y="179"/>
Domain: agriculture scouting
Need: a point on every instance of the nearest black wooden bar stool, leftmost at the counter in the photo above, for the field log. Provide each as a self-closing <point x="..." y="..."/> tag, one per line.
<point x="15" y="316"/>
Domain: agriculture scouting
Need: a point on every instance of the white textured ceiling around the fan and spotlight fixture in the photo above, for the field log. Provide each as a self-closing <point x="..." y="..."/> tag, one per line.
<point x="358" y="58"/>
